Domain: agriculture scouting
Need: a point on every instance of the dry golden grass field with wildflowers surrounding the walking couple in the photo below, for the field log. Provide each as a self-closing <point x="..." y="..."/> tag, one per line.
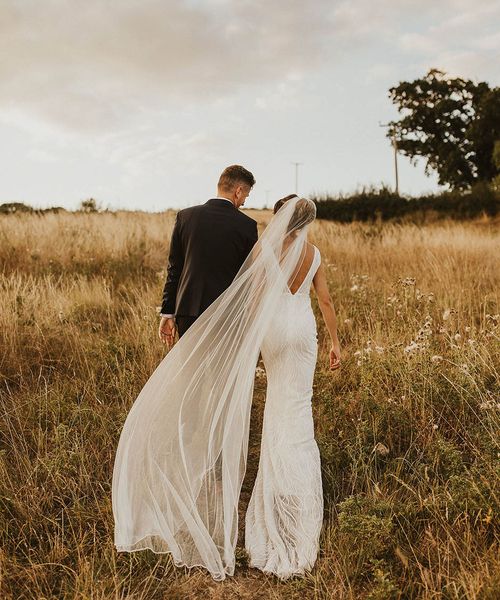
<point x="408" y="430"/>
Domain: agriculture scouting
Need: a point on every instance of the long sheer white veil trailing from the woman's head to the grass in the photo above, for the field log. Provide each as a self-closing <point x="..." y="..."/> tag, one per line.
<point x="182" y="452"/>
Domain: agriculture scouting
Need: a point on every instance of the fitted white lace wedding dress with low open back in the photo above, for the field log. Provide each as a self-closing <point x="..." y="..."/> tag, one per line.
<point x="284" y="516"/>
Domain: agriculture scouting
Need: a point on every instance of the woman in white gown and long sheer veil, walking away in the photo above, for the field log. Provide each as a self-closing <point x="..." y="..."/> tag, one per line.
<point x="182" y="453"/>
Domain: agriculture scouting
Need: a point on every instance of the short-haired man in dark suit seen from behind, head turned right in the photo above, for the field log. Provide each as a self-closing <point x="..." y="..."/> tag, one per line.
<point x="209" y="244"/>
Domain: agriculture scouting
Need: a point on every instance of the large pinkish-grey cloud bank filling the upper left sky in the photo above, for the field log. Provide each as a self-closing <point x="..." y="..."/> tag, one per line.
<point x="94" y="65"/>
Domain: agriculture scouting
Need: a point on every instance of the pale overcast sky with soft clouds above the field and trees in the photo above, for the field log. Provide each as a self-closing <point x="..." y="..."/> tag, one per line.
<point x="142" y="103"/>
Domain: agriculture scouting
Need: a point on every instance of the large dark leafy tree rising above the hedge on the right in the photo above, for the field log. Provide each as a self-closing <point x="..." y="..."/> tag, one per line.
<point x="451" y="122"/>
